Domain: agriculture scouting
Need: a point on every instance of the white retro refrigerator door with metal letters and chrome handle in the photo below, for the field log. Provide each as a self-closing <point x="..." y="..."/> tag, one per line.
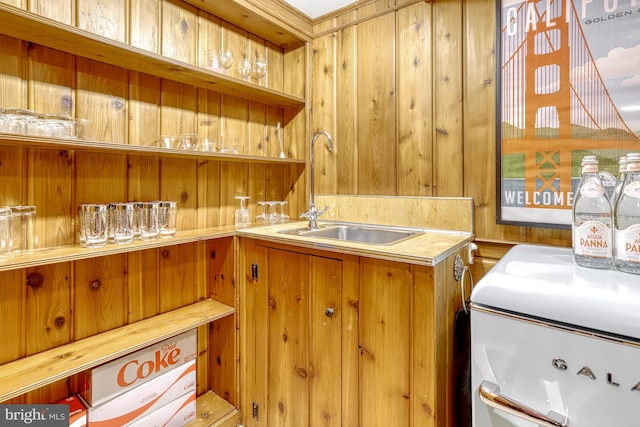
<point x="526" y="370"/>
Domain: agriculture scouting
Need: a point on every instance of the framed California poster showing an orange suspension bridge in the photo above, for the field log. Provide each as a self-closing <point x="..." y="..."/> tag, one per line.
<point x="569" y="79"/>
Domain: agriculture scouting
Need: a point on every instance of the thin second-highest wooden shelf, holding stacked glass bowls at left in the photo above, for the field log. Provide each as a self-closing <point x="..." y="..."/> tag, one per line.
<point x="140" y="150"/>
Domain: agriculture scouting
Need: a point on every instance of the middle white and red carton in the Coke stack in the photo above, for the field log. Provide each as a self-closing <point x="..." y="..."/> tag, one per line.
<point x="145" y="399"/>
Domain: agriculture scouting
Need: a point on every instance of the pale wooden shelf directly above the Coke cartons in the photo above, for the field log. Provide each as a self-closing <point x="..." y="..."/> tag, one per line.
<point x="32" y="372"/>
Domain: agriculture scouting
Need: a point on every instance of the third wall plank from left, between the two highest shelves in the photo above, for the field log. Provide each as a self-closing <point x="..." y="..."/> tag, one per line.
<point x="101" y="98"/>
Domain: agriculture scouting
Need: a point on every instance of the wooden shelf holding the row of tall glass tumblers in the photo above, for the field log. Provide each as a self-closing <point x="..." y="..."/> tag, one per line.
<point x="76" y="252"/>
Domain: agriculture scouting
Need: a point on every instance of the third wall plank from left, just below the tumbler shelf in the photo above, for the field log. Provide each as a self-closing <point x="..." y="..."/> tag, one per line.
<point x="100" y="295"/>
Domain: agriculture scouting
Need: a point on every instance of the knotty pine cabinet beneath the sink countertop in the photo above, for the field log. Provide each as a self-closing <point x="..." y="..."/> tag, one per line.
<point x="341" y="340"/>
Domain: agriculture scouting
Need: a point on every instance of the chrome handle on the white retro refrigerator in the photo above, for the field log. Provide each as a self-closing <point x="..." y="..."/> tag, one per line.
<point x="490" y="395"/>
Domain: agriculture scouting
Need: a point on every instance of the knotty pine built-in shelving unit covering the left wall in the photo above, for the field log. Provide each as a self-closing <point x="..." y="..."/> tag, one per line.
<point x="133" y="69"/>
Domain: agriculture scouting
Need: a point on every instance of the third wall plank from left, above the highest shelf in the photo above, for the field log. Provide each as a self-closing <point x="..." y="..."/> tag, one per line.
<point x="107" y="18"/>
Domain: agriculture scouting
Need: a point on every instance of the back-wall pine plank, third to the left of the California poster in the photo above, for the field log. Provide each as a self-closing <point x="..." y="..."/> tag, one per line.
<point x="415" y="130"/>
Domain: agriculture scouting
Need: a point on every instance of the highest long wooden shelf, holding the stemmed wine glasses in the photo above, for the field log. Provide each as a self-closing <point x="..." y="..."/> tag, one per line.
<point x="47" y="32"/>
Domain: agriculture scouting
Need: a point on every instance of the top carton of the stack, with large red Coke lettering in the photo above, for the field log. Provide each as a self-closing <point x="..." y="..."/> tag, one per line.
<point x="107" y="381"/>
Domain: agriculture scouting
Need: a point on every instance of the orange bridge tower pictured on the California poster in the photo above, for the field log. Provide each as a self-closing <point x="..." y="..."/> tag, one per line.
<point x="548" y="66"/>
